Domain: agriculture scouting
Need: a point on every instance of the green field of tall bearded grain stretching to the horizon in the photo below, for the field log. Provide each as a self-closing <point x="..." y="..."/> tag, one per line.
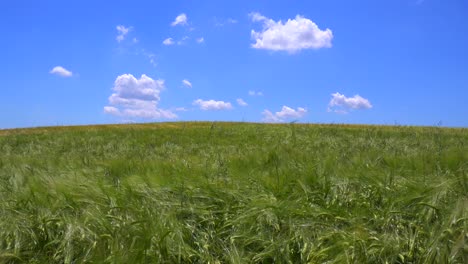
<point x="234" y="193"/>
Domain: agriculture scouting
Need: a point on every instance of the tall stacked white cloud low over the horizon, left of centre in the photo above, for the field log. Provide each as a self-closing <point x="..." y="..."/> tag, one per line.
<point x="134" y="97"/>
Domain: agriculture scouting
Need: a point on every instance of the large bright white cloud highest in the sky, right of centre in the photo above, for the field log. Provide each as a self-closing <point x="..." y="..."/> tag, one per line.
<point x="292" y="36"/>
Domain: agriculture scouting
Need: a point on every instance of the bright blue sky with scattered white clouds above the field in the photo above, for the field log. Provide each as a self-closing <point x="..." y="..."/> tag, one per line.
<point x="325" y="61"/>
